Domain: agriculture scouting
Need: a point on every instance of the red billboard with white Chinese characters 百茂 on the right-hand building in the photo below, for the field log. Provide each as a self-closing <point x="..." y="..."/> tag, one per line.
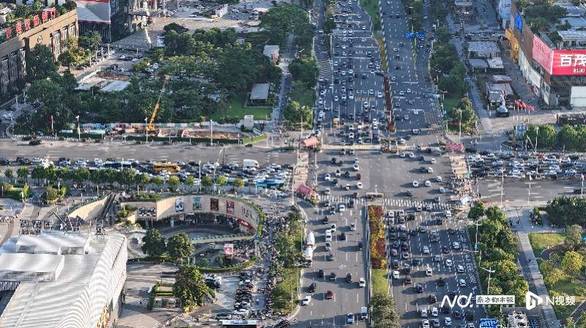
<point x="557" y="61"/>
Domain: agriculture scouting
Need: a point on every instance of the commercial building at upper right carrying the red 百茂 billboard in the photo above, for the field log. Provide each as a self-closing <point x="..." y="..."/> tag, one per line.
<point x="552" y="61"/>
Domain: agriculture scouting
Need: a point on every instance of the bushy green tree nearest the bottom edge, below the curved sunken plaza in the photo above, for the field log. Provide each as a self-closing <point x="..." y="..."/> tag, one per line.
<point x="190" y="288"/>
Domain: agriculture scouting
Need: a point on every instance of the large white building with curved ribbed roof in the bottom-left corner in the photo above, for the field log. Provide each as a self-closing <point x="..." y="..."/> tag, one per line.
<point x="59" y="279"/>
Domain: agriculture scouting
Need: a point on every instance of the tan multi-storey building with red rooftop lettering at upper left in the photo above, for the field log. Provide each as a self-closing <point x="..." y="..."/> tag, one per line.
<point x="48" y="27"/>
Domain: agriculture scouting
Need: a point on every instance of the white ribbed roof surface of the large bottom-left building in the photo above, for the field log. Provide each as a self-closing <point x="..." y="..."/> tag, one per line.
<point x="74" y="298"/>
